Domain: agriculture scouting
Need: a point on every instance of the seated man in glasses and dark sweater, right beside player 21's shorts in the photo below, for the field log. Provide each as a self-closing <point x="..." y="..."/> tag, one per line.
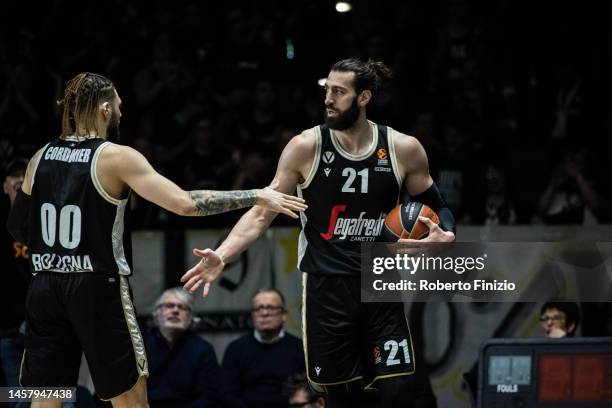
<point x="257" y="364"/>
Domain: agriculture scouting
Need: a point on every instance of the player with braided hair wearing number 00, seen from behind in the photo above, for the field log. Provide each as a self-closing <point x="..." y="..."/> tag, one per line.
<point x="71" y="211"/>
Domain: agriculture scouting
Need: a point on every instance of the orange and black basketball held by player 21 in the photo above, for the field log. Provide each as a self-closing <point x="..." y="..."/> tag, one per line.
<point x="403" y="222"/>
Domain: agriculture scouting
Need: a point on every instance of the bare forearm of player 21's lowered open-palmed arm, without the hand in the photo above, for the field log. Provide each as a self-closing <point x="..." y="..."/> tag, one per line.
<point x="248" y="229"/>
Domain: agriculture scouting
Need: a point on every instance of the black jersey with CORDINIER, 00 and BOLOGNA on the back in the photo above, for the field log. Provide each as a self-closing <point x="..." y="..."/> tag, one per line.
<point x="76" y="226"/>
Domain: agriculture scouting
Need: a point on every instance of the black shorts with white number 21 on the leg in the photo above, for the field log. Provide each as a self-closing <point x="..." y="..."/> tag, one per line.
<point x="346" y="340"/>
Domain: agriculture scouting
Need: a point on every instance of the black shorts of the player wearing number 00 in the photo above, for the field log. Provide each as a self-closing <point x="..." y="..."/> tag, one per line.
<point x="72" y="313"/>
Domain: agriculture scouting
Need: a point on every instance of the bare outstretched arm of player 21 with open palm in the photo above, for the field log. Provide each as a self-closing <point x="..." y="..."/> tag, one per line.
<point x="293" y="167"/>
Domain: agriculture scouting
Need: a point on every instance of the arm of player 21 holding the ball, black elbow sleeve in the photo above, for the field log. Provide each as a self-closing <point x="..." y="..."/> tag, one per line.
<point x="414" y="167"/>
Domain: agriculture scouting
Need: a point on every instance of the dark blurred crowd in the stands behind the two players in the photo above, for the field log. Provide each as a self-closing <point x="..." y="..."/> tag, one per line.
<point x="508" y="100"/>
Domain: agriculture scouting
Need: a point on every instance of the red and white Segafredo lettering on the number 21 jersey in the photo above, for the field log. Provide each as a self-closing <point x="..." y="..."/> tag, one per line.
<point x="353" y="229"/>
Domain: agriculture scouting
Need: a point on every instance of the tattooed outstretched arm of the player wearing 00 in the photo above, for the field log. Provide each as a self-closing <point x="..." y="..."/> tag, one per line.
<point x="121" y="166"/>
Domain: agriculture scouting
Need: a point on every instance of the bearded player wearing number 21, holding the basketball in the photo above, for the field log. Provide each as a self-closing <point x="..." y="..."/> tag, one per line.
<point x="350" y="171"/>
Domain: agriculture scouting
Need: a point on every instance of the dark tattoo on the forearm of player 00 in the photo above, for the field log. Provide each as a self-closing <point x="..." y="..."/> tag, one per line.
<point x="208" y="202"/>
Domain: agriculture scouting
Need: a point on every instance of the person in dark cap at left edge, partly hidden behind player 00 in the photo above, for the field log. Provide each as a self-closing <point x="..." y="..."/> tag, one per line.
<point x="14" y="280"/>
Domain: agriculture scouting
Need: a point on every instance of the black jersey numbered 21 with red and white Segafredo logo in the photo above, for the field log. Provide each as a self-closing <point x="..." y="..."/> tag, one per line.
<point x="348" y="198"/>
